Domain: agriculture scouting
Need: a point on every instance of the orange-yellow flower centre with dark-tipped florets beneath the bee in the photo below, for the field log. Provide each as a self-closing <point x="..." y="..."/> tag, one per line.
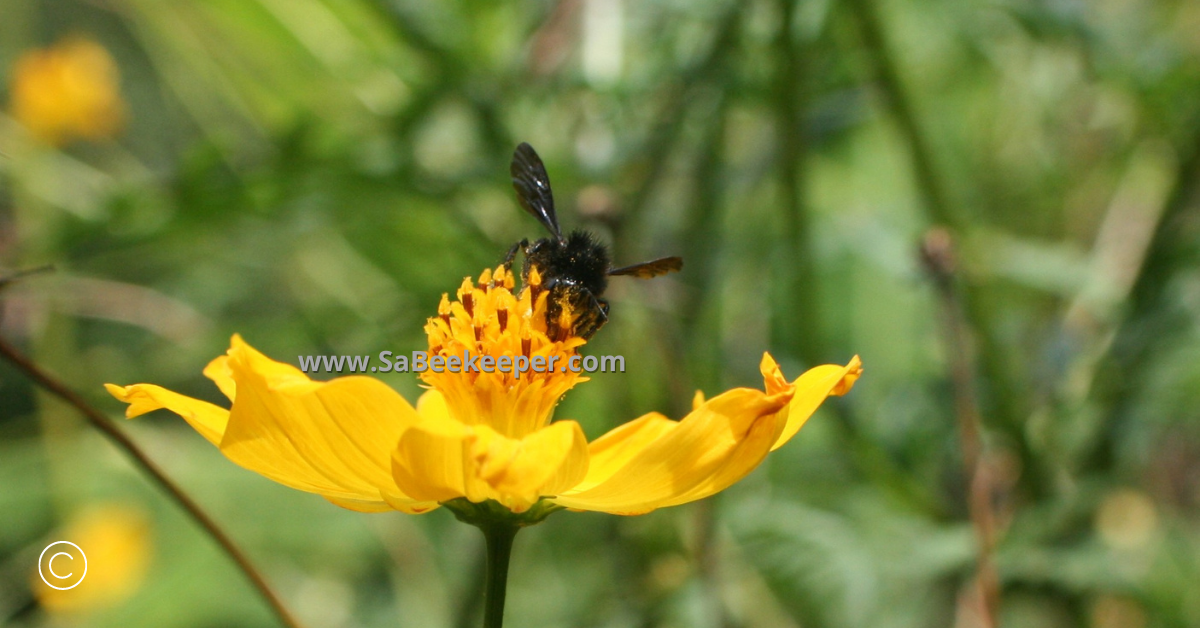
<point x="501" y="367"/>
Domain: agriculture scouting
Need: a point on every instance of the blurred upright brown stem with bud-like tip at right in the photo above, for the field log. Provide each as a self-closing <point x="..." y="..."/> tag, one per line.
<point x="938" y="255"/>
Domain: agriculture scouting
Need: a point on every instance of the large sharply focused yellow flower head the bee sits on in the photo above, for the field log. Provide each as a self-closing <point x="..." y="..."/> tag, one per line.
<point x="485" y="436"/>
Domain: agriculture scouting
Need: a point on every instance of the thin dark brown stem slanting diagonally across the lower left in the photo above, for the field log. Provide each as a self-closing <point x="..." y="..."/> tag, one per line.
<point x="140" y="458"/>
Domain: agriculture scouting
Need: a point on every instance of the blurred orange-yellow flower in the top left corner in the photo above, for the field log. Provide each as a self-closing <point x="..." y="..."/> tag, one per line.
<point x="67" y="92"/>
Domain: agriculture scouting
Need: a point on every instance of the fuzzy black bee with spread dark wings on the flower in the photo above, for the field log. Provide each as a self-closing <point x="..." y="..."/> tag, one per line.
<point x="575" y="270"/>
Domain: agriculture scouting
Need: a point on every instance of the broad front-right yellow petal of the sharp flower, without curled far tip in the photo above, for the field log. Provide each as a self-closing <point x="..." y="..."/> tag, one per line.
<point x="656" y="464"/>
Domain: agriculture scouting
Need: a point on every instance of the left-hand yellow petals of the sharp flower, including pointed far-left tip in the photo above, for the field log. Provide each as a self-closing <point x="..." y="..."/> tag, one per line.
<point x="333" y="439"/>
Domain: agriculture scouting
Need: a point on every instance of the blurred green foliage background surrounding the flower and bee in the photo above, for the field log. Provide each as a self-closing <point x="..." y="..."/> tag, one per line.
<point x="314" y="175"/>
